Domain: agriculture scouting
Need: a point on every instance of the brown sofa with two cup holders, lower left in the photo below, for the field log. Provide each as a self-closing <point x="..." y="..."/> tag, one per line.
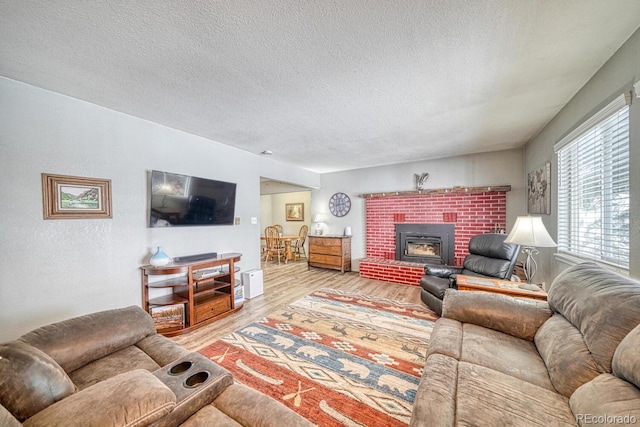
<point x="112" y="369"/>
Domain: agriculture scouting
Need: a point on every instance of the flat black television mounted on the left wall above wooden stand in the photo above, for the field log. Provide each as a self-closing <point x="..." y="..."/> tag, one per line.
<point x="181" y="200"/>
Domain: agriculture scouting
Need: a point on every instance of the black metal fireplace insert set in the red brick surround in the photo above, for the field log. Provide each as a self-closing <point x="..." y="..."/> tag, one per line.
<point x="425" y="243"/>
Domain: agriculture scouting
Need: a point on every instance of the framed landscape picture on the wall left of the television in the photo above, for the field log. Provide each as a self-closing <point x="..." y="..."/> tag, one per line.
<point x="68" y="197"/>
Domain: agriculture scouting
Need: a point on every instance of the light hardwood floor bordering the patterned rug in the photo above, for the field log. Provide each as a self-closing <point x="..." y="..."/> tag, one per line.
<point x="286" y="283"/>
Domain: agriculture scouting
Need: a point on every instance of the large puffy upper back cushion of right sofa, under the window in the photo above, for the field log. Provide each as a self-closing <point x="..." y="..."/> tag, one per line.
<point x="601" y="304"/>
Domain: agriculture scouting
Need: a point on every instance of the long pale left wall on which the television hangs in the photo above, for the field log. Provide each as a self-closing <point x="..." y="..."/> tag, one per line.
<point x="54" y="269"/>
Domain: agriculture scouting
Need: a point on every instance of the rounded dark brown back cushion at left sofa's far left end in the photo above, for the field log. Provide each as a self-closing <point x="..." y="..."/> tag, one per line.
<point x="30" y="380"/>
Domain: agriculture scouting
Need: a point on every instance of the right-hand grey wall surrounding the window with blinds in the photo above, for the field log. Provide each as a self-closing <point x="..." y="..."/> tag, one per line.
<point x="616" y="76"/>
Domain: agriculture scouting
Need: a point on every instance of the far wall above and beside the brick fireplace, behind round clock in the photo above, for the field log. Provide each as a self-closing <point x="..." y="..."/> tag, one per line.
<point x="497" y="168"/>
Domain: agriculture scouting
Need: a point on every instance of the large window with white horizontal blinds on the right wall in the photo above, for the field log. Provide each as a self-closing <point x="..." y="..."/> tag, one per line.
<point x="593" y="187"/>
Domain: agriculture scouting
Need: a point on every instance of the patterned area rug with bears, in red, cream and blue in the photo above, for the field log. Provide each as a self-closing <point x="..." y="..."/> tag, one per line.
<point x="335" y="358"/>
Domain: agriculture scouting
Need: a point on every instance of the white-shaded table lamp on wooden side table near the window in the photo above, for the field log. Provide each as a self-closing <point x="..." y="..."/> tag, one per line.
<point x="529" y="232"/>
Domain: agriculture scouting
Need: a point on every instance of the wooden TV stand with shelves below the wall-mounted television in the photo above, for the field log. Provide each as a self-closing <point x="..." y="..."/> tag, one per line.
<point x="201" y="294"/>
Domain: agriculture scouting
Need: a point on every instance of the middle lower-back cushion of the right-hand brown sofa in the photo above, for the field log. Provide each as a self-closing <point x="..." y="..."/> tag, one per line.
<point x="569" y="361"/>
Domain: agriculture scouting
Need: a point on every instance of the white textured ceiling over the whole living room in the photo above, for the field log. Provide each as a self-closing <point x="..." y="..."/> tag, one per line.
<point x="326" y="85"/>
